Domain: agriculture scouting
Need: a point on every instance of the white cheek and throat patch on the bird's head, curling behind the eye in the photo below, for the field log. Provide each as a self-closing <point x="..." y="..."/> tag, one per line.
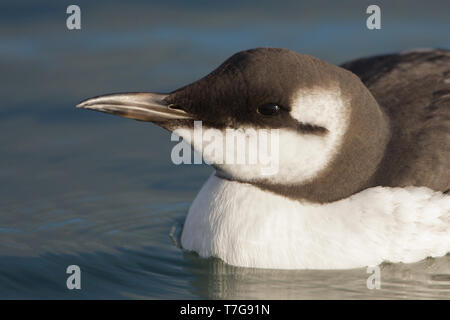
<point x="280" y="156"/>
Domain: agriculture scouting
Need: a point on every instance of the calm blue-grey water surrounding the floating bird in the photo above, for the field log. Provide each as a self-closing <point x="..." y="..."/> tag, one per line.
<point x="83" y="188"/>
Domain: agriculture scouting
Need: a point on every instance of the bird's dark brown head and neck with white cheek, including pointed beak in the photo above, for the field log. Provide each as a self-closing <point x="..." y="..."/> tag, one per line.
<point x="331" y="132"/>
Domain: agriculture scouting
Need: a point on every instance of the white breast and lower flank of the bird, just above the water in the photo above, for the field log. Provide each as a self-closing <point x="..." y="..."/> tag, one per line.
<point x="246" y="226"/>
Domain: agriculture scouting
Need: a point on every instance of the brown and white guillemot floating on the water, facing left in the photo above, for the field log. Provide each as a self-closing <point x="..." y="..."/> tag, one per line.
<point x="364" y="151"/>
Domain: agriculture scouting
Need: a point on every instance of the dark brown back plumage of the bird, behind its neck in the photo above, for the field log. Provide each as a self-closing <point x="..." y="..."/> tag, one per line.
<point x="414" y="91"/>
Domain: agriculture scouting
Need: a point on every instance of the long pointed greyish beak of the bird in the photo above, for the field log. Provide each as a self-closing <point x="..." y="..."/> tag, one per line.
<point x="143" y="106"/>
